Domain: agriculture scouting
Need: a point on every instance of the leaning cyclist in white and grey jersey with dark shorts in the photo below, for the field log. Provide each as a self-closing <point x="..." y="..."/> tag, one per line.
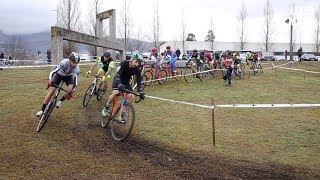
<point x="67" y="70"/>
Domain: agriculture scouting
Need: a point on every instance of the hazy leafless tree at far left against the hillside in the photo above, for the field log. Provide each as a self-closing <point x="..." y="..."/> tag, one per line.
<point x="14" y="47"/>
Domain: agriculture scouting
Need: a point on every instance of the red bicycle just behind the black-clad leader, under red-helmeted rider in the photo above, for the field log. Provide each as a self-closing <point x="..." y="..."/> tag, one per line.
<point x="154" y="73"/>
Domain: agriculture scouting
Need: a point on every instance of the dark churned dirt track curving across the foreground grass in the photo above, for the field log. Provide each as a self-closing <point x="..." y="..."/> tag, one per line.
<point x="137" y="158"/>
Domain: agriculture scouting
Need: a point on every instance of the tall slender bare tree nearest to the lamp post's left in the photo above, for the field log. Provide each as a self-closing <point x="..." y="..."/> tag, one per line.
<point x="267" y="29"/>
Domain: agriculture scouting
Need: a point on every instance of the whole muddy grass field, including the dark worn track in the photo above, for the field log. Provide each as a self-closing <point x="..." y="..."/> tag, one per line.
<point x="169" y="141"/>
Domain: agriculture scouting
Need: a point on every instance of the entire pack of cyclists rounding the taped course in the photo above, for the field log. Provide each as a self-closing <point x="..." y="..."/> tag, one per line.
<point x="68" y="71"/>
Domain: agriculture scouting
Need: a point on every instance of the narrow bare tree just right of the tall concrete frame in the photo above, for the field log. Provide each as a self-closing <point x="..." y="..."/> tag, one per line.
<point x="126" y="24"/>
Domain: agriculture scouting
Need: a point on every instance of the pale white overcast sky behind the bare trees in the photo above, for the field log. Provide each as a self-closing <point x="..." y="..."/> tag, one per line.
<point x="20" y="16"/>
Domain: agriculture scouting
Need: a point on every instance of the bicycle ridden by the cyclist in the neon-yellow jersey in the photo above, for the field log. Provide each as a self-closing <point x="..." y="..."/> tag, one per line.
<point x="92" y="90"/>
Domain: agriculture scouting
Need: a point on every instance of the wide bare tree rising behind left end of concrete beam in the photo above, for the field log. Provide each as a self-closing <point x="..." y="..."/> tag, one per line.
<point x="69" y="18"/>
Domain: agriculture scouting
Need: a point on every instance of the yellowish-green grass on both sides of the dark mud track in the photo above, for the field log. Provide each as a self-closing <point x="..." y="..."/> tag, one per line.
<point x="288" y="136"/>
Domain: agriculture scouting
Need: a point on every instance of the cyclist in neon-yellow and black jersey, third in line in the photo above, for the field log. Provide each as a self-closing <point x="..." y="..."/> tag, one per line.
<point x="105" y="70"/>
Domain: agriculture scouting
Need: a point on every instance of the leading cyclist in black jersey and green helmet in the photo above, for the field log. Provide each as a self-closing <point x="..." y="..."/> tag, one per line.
<point x="121" y="80"/>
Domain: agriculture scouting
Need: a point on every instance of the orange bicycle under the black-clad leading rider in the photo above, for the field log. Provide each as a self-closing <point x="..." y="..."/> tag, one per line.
<point x="122" y="117"/>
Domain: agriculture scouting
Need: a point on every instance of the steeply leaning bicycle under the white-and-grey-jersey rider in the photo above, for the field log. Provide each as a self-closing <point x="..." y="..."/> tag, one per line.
<point x="48" y="110"/>
